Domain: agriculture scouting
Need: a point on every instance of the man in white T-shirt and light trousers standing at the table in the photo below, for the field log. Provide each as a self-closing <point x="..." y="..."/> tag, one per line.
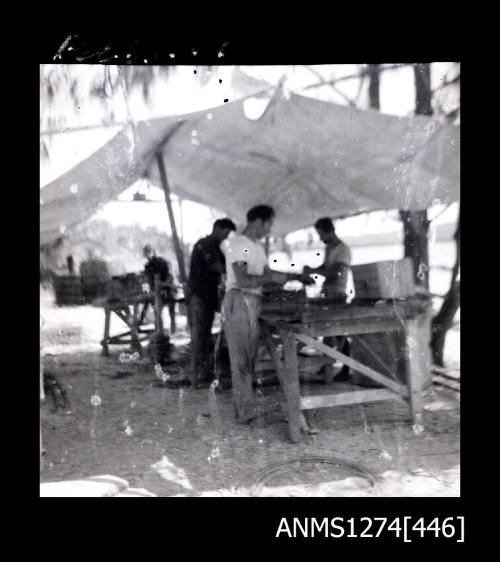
<point x="247" y="273"/>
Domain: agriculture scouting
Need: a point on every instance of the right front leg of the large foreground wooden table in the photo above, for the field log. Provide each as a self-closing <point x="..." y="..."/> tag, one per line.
<point x="414" y="373"/>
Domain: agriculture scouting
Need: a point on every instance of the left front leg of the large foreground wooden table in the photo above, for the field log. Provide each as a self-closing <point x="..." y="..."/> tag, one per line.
<point x="291" y="386"/>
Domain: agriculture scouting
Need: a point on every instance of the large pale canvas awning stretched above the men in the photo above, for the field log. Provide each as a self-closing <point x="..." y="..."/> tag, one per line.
<point x="306" y="158"/>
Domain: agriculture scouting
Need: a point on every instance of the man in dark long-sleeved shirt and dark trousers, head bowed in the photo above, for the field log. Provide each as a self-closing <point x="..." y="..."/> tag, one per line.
<point x="204" y="286"/>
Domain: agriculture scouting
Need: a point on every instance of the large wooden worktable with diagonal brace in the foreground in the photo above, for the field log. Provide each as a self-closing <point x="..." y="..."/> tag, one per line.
<point x="307" y="321"/>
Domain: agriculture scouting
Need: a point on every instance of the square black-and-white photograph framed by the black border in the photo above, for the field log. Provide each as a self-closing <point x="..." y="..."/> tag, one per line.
<point x="249" y="278"/>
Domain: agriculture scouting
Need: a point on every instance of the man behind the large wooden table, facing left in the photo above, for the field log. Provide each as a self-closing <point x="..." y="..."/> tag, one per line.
<point x="335" y="269"/>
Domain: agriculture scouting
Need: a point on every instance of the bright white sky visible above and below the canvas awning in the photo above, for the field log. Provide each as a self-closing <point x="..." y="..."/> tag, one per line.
<point x="184" y="92"/>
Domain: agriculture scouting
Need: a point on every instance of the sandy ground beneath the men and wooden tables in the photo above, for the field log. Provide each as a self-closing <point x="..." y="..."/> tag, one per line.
<point x="121" y="420"/>
